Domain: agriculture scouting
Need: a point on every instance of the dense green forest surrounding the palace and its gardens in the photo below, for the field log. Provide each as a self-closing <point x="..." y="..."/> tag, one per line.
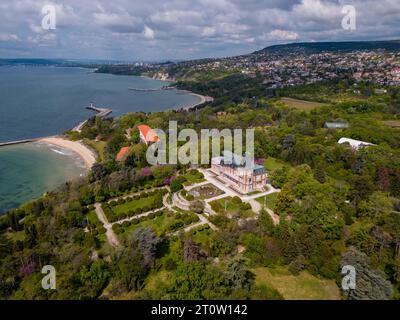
<point x="337" y="205"/>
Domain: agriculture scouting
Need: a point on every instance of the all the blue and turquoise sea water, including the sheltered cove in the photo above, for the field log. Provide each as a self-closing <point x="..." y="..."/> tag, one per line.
<point x="43" y="101"/>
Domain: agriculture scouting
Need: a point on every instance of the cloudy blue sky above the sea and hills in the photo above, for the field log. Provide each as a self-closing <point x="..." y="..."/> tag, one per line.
<point x="183" y="29"/>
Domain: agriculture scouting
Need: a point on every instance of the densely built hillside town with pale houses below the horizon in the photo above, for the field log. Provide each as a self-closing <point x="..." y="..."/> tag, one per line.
<point x="297" y="66"/>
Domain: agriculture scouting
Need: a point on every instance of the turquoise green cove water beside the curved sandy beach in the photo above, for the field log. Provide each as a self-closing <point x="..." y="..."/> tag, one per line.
<point x="27" y="171"/>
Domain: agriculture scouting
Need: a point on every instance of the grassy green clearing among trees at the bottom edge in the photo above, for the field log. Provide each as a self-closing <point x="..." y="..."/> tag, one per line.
<point x="301" y="287"/>
